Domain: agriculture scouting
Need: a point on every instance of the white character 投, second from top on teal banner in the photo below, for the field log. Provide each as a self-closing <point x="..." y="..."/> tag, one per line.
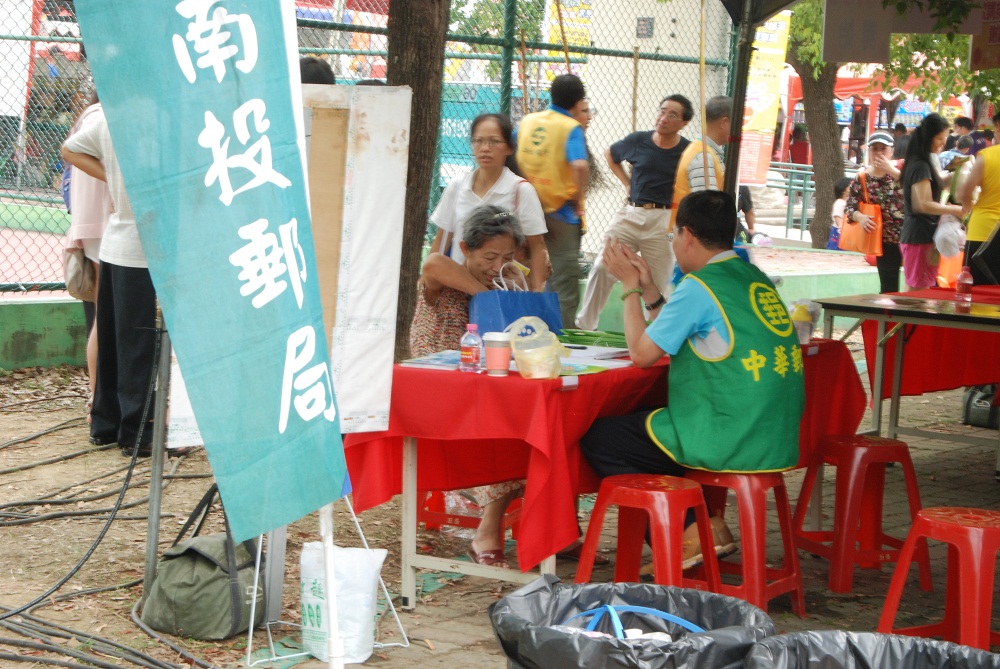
<point x="256" y="159"/>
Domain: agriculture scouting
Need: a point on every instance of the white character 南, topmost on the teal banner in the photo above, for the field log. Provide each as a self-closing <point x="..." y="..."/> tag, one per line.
<point x="209" y="35"/>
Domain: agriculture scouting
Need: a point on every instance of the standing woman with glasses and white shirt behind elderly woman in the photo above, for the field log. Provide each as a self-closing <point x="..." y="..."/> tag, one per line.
<point x="493" y="182"/>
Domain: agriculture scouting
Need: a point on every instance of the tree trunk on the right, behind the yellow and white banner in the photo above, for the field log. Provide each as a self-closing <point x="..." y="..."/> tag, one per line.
<point x="824" y="135"/>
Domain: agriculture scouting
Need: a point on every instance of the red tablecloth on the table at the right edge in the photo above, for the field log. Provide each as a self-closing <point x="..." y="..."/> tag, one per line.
<point x="938" y="358"/>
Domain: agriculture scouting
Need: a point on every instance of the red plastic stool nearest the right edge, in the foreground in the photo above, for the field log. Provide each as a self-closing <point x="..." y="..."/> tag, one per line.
<point x="973" y="538"/>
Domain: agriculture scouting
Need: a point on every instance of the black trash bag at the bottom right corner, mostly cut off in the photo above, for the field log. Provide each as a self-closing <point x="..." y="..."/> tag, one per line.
<point x="834" y="649"/>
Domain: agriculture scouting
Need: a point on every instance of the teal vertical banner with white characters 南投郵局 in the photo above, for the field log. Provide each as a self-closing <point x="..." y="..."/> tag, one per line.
<point x="198" y="97"/>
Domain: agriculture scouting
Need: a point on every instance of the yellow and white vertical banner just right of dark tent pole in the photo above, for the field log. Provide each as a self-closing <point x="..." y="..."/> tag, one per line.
<point x="763" y="98"/>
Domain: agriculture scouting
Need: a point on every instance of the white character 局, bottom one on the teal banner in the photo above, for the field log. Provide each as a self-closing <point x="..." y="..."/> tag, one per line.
<point x="306" y="387"/>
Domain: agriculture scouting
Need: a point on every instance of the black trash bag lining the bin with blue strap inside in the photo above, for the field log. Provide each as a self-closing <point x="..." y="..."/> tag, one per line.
<point x="522" y="623"/>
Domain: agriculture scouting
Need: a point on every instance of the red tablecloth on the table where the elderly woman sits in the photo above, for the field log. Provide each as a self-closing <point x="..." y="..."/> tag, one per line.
<point x="474" y="430"/>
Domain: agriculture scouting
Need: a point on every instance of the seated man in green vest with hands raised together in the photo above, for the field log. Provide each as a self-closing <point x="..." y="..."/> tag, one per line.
<point x="729" y="337"/>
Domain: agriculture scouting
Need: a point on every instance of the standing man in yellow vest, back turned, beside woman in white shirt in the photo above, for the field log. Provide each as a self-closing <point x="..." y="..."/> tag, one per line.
<point x="552" y="155"/>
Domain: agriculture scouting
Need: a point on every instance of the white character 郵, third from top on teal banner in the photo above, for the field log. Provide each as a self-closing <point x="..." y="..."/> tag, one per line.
<point x="264" y="261"/>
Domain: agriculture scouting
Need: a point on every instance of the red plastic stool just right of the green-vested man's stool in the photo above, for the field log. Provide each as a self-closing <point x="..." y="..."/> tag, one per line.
<point x="857" y="536"/>
